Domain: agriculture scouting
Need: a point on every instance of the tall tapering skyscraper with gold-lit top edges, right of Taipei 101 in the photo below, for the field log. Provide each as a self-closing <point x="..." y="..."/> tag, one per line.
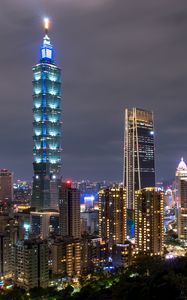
<point x="139" y="162"/>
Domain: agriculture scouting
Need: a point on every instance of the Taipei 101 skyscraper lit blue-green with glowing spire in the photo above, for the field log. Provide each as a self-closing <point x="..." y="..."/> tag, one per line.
<point x="46" y="127"/>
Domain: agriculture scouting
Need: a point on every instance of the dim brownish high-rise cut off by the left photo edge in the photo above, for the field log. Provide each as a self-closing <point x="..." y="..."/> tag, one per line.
<point x="6" y="185"/>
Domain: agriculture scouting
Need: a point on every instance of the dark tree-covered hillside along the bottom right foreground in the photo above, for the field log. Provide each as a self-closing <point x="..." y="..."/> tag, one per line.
<point x="150" y="278"/>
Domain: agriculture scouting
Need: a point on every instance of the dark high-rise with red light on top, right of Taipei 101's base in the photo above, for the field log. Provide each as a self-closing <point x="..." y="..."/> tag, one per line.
<point x="69" y="207"/>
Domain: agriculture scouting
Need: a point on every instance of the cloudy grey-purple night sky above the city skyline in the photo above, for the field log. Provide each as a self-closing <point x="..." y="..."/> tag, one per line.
<point x="113" y="54"/>
